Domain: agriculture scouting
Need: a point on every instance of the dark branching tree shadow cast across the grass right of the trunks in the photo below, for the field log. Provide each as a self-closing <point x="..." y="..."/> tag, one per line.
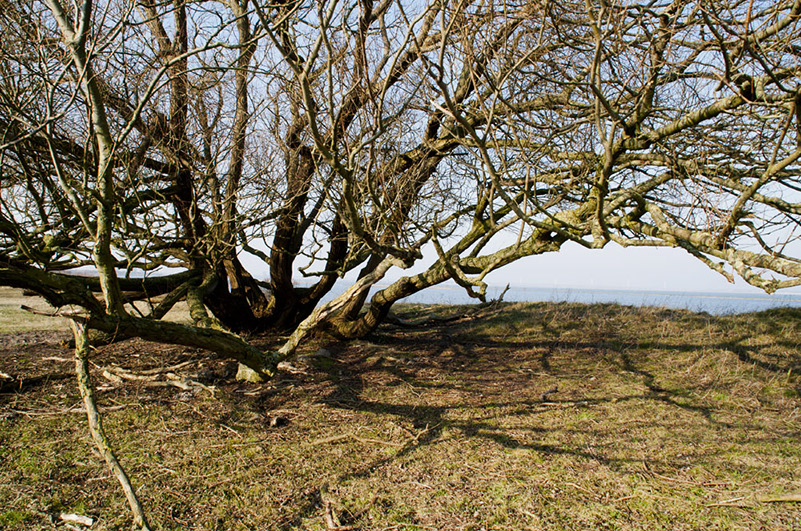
<point x="466" y="373"/>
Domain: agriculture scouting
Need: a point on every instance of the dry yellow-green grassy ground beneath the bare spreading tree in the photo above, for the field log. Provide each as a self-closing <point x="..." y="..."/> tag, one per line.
<point x="533" y="416"/>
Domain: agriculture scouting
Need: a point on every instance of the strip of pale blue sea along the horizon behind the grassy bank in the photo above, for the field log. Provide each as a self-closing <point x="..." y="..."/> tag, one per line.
<point x="720" y="303"/>
